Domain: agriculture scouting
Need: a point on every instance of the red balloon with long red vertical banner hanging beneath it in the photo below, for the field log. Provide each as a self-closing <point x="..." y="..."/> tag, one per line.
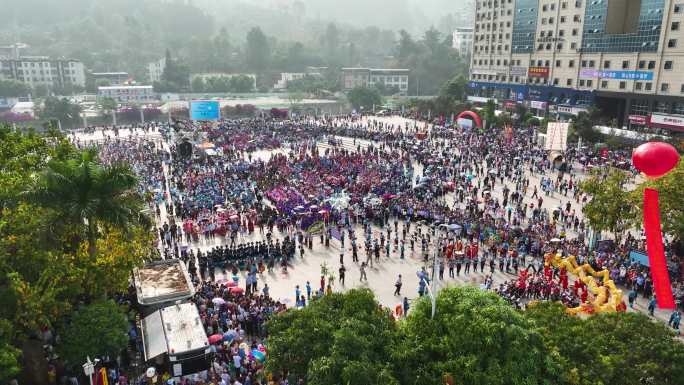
<point x="656" y="159"/>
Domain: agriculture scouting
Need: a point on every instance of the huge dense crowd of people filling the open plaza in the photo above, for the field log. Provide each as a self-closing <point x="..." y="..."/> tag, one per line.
<point x="466" y="202"/>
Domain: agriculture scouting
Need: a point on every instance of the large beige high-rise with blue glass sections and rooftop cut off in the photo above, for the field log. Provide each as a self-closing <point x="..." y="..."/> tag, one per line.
<point x="624" y="56"/>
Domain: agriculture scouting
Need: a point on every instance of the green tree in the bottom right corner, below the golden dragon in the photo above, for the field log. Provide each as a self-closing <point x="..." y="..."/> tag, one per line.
<point x="609" y="348"/>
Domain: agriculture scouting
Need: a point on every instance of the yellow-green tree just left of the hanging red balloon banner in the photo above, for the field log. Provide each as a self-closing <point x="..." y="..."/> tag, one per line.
<point x="611" y="207"/>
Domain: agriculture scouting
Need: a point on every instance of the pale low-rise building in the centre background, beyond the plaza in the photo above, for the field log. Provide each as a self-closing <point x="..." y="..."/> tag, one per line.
<point x="369" y="77"/>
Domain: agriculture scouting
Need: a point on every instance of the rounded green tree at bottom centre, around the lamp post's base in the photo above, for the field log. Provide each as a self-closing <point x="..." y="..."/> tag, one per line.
<point x="476" y="338"/>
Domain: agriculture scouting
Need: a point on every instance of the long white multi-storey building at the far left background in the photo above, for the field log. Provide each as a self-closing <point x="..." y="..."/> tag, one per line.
<point x="43" y="71"/>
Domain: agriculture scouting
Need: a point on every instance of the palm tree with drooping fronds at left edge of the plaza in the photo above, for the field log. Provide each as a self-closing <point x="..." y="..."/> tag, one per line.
<point x="86" y="193"/>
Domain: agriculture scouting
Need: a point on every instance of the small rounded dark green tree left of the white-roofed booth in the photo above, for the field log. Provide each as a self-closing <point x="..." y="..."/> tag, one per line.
<point x="95" y="330"/>
